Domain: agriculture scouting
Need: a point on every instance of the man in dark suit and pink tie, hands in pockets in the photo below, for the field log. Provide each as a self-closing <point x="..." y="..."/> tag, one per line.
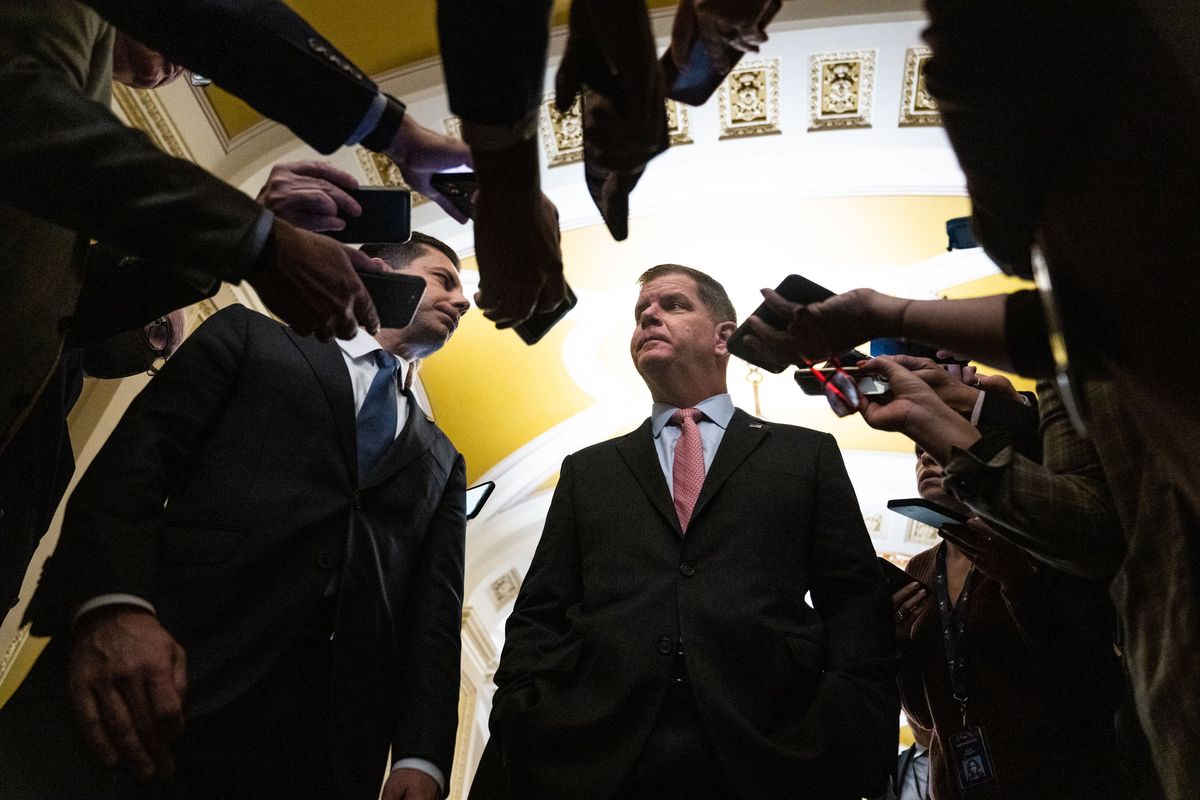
<point x="663" y="645"/>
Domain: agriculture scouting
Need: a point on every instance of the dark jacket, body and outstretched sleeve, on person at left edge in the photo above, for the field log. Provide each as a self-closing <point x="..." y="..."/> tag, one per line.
<point x="70" y="172"/>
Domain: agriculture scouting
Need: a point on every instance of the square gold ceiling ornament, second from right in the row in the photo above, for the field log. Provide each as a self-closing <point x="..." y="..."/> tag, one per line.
<point x="841" y="87"/>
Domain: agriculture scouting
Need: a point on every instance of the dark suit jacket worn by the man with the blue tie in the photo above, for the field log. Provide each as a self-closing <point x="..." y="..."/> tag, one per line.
<point x="248" y="435"/>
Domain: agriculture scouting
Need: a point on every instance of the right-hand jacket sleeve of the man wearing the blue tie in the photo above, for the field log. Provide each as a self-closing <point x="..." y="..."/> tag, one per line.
<point x="430" y="639"/>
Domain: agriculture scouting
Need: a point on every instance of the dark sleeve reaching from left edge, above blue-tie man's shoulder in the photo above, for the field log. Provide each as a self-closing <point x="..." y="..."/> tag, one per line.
<point x="69" y="160"/>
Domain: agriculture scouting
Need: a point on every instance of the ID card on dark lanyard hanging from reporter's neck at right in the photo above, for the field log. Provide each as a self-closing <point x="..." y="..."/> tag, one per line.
<point x="969" y="751"/>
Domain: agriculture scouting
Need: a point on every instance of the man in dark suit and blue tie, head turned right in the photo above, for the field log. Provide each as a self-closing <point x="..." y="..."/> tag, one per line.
<point x="268" y="556"/>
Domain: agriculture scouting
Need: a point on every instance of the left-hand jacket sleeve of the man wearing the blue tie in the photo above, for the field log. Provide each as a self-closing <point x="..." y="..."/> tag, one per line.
<point x="116" y="516"/>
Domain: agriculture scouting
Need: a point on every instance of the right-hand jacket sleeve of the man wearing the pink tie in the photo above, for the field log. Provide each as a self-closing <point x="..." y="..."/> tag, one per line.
<point x="859" y="699"/>
